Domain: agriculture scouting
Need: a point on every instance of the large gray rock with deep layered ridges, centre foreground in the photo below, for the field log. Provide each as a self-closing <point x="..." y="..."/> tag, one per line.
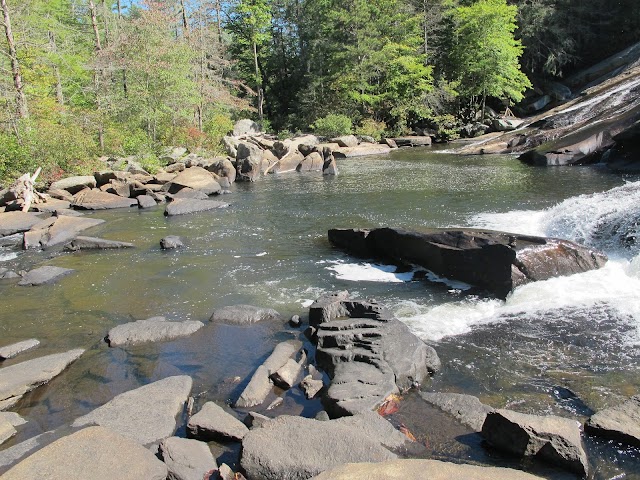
<point x="368" y="356"/>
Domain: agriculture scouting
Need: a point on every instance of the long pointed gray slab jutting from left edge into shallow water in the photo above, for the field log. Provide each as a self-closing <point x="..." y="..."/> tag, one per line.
<point x="18" y="379"/>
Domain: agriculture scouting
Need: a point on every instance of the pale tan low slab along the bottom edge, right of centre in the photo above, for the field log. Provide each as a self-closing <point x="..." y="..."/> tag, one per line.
<point x="418" y="469"/>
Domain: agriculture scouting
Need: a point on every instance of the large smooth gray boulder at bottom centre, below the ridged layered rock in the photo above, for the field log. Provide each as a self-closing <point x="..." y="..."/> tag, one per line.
<point x="297" y="448"/>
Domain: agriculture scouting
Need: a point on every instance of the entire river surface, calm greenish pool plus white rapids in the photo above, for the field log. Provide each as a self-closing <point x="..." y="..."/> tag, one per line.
<point x="566" y="346"/>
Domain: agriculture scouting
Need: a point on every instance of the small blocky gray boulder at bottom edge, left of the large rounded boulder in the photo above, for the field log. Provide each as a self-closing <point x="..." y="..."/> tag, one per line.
<point x="187" y="459"/>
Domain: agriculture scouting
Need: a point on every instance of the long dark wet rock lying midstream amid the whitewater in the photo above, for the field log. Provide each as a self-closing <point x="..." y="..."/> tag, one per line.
<point x="495" y="261"/>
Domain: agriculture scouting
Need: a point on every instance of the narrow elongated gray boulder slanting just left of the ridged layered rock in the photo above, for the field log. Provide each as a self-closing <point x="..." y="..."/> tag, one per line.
<point x="260" y="384"/>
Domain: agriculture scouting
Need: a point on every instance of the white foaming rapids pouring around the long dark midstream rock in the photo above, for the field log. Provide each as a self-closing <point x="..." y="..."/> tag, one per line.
<point x="608" y="221"/>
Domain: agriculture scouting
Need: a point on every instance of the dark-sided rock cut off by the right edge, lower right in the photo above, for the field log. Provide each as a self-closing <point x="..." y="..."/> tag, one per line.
<point x="620" y="423"/>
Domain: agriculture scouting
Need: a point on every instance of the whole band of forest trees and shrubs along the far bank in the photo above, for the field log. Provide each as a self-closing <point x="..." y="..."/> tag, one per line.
<point x="83" y="78"/>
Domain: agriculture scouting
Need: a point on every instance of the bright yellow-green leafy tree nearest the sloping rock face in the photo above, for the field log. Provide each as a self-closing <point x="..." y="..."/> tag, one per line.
<point x="485" y="54"/>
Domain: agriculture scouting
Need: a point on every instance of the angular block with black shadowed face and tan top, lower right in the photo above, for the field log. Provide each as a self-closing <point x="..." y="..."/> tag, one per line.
<point x="552" y="439"/>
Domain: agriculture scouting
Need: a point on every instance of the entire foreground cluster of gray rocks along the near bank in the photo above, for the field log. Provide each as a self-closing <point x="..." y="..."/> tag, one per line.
<point x="366" y="354"/>
